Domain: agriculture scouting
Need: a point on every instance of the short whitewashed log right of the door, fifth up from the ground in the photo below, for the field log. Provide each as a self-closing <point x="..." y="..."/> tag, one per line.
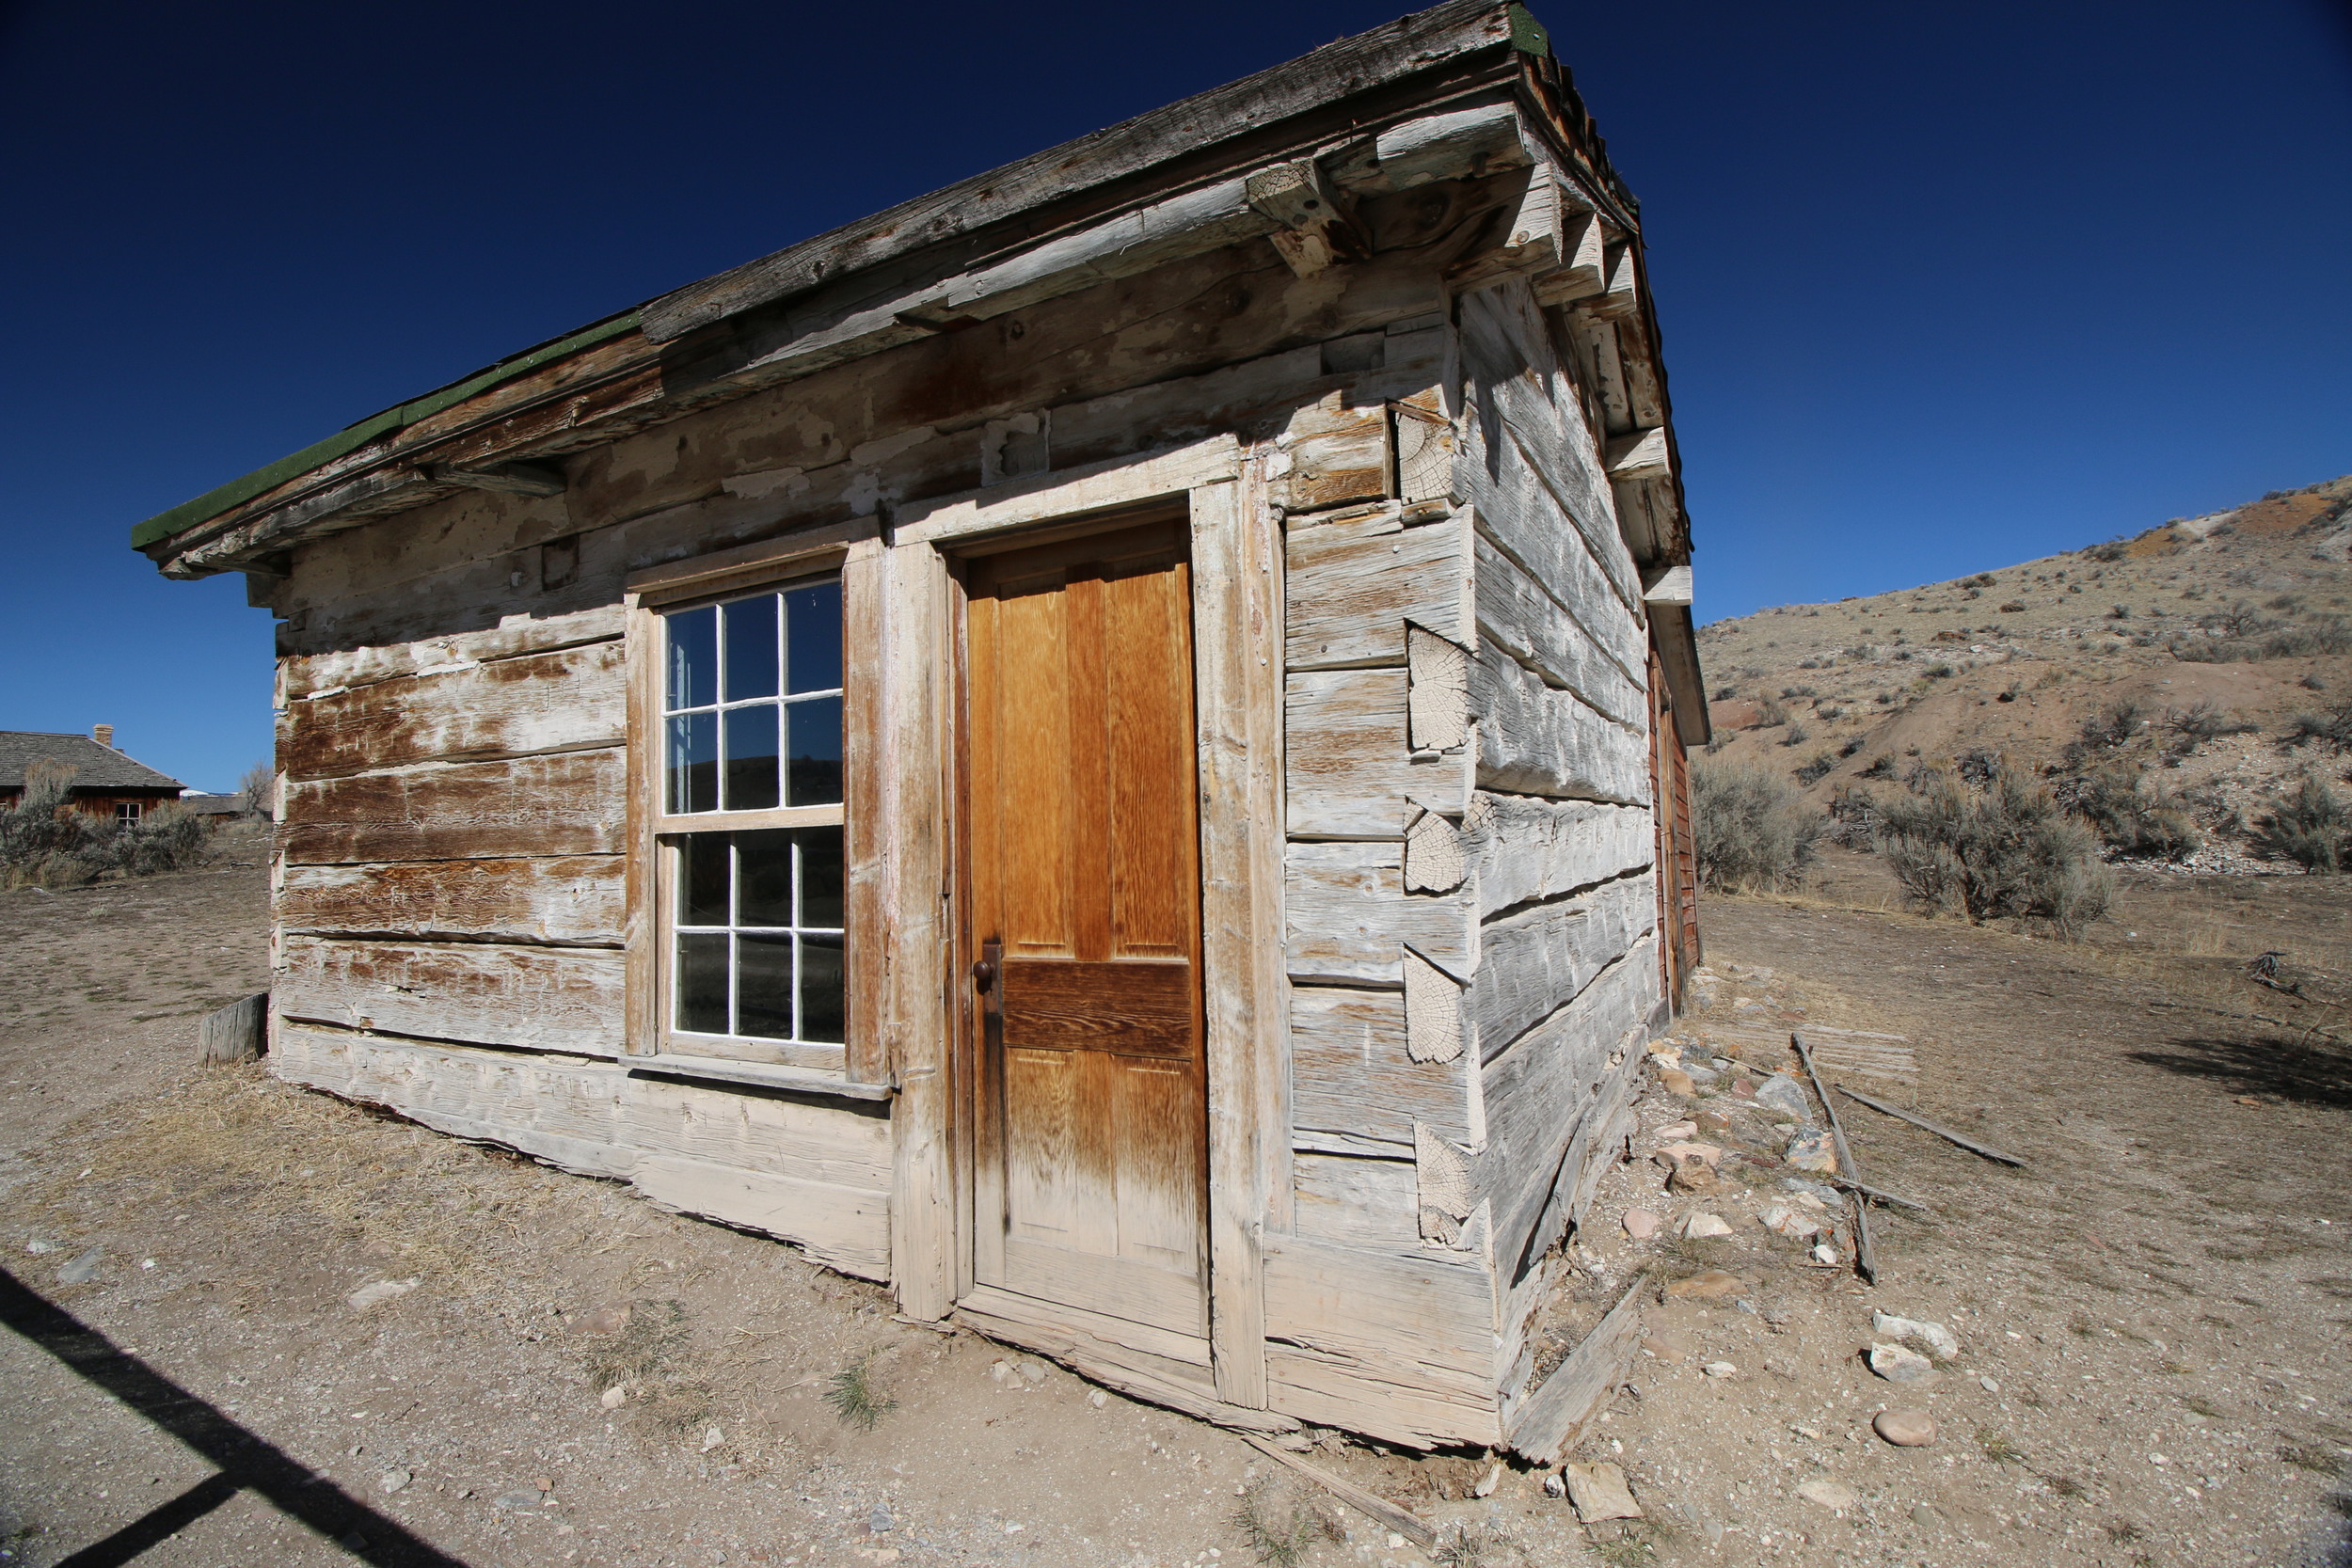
<point x="1351" y="770"/>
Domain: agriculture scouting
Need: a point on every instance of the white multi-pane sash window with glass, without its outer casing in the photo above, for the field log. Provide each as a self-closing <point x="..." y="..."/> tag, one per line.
<point x="751" y="826"/>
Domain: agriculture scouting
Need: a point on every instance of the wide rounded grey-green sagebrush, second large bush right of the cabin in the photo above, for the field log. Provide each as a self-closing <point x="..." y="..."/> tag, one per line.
<point x="2003" y="850"/>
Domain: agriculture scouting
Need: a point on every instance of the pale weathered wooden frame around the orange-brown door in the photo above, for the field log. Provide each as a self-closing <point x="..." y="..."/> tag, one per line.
<point x="1238" y="742"/>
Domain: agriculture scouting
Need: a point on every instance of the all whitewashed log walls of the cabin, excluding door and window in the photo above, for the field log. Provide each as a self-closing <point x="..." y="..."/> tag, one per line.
<point x="1469" y="880"/>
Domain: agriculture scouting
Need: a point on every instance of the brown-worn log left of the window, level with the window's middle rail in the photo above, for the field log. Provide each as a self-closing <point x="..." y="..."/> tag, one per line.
<point x="563" y="805"/>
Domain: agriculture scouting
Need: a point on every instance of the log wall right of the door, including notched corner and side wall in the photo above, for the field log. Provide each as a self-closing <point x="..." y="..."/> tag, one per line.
<point x="1471" y="887"/>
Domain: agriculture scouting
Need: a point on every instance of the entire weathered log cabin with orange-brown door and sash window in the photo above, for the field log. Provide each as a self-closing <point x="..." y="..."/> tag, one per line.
<point x="1107" y="746"/>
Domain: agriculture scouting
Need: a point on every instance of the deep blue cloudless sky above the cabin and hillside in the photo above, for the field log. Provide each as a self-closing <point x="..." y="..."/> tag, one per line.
<point x="1942" y="288"/>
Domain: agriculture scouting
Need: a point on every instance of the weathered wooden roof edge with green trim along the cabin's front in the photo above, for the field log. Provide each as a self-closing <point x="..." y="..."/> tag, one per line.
<point x="719" y="337"/>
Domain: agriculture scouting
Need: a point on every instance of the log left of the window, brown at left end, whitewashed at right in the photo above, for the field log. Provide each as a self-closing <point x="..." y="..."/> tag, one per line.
<point x="509" y="709"/>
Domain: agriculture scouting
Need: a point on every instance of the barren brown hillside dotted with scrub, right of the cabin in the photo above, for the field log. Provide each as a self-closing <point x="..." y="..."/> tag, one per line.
<point x="2210" y="657"/>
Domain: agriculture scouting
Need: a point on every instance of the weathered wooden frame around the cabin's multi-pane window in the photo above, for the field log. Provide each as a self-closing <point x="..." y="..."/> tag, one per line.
<point x="660" y="836"/>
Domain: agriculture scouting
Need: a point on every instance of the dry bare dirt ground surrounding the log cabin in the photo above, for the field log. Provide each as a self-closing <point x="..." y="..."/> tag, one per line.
<point x="410" y="1341"/>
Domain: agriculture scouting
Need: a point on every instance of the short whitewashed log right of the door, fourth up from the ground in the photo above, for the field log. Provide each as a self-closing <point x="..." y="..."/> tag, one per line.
<point x="1351" y="918"/>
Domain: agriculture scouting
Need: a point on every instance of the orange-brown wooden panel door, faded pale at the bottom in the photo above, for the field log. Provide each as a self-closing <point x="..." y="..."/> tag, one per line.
<point x="1090" y="1092"/>
